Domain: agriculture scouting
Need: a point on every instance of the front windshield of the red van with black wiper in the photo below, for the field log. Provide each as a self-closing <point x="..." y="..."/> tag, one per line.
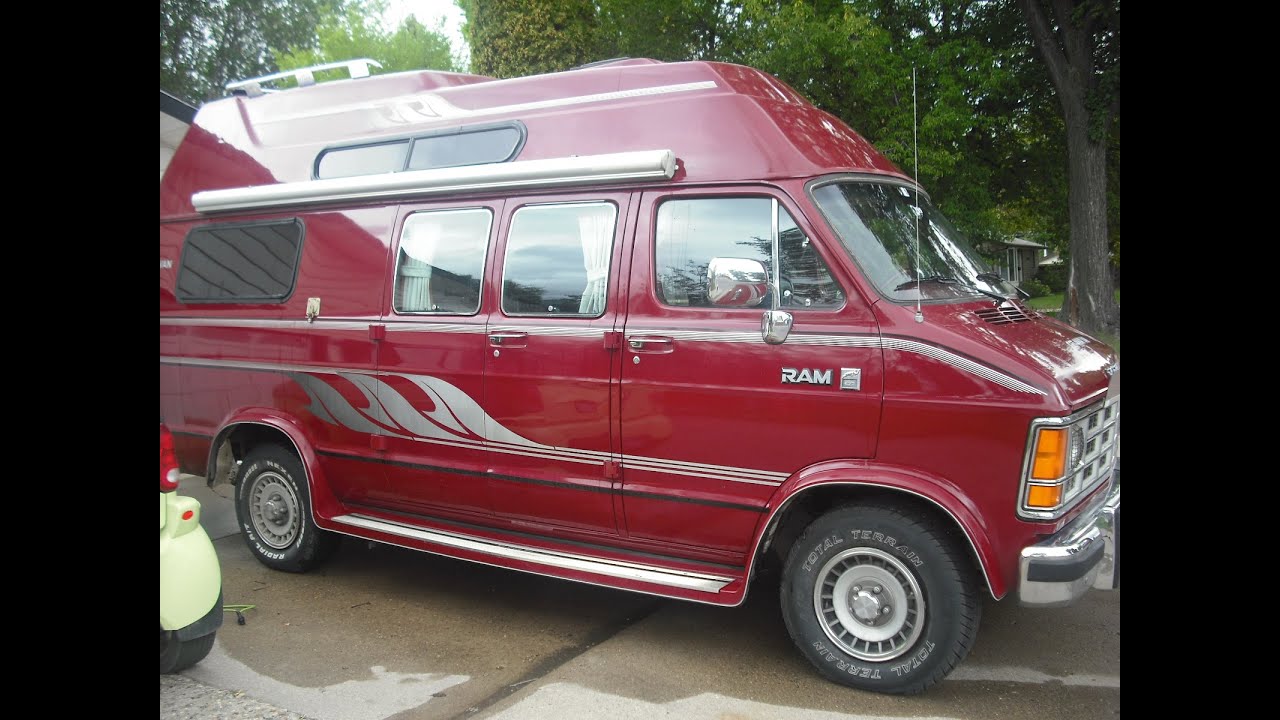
<point x="877" y="225"/>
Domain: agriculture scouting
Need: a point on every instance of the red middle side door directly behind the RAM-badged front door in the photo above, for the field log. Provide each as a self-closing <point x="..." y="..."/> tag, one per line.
<point x="552" y="356"/>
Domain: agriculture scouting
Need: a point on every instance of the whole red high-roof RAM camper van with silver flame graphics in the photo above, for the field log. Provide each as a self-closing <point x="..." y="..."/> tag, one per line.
<point x="648" y="326"/>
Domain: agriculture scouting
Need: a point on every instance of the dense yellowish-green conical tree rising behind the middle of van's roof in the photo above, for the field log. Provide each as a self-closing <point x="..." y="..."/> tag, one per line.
<point x="524" y="38"/>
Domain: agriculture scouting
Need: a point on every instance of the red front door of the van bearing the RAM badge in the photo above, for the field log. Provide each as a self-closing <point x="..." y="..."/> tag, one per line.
<point x="714" y="418"/>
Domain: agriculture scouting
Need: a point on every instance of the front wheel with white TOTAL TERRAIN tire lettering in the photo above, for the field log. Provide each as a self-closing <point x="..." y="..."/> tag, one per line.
<point x="909" y="607"/>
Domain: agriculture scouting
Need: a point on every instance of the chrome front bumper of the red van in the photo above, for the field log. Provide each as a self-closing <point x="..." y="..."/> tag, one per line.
<point x="1086" y="554"/>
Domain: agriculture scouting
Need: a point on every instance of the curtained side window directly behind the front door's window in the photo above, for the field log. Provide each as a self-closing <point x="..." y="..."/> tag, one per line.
<point x="557" y="259"/>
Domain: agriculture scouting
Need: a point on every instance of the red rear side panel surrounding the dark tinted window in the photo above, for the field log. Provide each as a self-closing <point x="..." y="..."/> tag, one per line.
<point x="223" y="359"/>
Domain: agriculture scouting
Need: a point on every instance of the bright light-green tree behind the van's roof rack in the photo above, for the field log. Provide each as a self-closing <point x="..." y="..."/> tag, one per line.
<point x="356" y="31"/>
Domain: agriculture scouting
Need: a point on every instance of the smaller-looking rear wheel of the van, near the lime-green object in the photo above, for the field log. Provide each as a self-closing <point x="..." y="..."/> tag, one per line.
<point x="273" y="507"/>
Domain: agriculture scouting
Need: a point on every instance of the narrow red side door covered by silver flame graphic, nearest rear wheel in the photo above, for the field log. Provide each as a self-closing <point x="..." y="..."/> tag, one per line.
<point x="431" y="379"/>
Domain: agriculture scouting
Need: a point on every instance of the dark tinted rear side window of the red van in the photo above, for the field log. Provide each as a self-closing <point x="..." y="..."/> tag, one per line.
<point x="241" y="263"/>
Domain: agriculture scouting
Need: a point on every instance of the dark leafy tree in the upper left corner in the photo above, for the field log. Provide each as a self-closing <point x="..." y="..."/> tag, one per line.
<point x="205" y="44"/>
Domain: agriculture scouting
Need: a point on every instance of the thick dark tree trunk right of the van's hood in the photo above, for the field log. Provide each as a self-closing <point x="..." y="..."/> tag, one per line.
<point x="1081" y="44"/>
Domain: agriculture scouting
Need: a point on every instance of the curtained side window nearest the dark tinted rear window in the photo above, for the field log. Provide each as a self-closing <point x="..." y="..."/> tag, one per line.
<point x="441" y="262"/>
